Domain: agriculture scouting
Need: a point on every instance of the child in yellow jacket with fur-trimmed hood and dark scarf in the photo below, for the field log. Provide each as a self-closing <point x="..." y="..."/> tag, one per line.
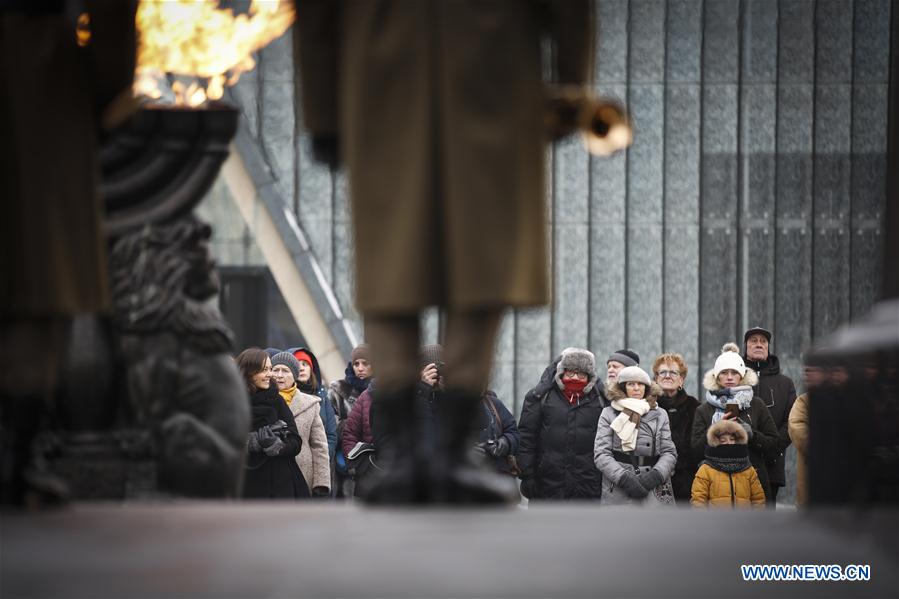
<point x="726" y="479"/>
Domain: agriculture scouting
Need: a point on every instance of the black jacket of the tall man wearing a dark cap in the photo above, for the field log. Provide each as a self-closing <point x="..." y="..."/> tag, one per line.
<point x="778" y="393"/>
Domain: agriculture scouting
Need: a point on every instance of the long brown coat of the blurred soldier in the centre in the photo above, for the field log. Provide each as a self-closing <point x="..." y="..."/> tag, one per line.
<point x="439" y="116"/>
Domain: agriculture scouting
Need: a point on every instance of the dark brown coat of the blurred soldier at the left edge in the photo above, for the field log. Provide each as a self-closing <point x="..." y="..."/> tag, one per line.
<point x="52" y="250"/>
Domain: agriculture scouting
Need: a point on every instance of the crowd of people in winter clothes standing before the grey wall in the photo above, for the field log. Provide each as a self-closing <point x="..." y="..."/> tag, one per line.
<point x="634" y="437"/>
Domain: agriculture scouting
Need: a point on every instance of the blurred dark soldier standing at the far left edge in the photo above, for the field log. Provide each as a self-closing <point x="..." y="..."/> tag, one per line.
<point x="58" y="87"/>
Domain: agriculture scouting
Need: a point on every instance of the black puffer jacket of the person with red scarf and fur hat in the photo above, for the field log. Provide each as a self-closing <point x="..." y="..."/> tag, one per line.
<point x="556" y="451"/>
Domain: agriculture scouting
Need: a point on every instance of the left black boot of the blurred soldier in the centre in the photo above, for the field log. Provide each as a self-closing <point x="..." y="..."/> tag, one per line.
<point x="402" y="467"/>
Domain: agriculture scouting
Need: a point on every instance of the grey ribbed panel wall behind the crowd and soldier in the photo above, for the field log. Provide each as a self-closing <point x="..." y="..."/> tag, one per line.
<point x="753" y="192"/>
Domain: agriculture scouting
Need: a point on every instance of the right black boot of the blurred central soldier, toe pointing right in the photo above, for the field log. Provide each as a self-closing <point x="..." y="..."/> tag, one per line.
<point x="456" y="476"/>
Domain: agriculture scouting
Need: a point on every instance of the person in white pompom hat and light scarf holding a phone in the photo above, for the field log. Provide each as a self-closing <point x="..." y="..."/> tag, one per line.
<point x="729" y="396"/>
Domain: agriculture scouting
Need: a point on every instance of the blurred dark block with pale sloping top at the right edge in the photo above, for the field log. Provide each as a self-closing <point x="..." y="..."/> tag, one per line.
<point x="853" y="456"/>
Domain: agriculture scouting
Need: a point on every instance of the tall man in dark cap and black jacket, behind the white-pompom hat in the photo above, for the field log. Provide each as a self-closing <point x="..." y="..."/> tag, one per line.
<point x="778" y="393"/>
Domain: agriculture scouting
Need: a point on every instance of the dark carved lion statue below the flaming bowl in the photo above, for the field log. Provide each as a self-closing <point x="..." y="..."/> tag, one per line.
<point x="182" y="384"/>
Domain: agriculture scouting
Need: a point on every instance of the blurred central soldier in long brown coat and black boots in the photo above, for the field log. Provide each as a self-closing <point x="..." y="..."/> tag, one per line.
<point x="437" y="109"/>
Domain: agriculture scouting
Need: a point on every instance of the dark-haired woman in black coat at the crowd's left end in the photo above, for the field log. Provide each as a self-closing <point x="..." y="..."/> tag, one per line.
<point x="273" y="441"/>
